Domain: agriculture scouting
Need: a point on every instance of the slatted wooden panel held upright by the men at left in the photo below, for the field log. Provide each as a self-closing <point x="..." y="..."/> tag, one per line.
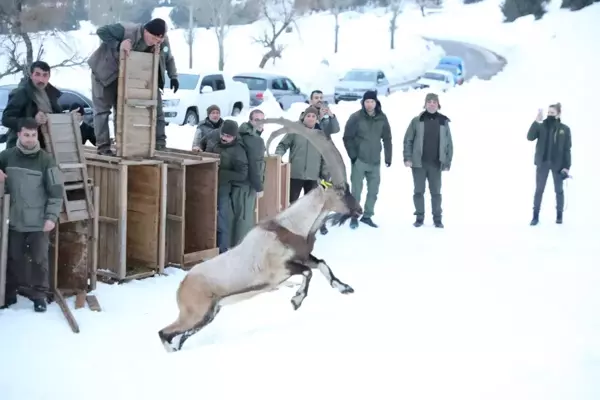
<point x="62" y="136"/>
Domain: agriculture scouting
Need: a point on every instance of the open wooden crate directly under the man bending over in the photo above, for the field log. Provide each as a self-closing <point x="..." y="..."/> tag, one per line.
<point x="132" y="214"/>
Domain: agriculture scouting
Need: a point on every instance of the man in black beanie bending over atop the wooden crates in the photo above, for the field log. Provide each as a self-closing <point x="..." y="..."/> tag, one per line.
<point x="104" y="64"/>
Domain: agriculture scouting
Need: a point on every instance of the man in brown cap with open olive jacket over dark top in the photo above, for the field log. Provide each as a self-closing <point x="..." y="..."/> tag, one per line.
<point x="428" y="151"/>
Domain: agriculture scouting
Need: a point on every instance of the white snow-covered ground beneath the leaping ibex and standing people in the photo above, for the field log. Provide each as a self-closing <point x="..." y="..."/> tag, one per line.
<point x="488" y="308"/>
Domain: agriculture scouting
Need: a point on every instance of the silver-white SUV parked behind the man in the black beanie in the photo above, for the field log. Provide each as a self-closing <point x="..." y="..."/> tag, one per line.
<point x="357" y="81"/>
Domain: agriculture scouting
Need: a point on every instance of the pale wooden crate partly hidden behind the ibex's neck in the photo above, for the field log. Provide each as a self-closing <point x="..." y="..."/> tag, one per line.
<point x="276" y="195"/>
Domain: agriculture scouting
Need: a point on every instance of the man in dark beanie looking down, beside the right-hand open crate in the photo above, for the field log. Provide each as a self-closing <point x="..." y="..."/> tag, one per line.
<point x="233" y="170"/>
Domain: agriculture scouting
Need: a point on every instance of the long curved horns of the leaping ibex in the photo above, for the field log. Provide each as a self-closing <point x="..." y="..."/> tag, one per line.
<point x="324" y="145"/>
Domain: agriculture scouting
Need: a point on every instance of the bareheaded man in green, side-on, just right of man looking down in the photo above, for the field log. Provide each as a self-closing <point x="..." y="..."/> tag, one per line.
<point x="252" y="189"/>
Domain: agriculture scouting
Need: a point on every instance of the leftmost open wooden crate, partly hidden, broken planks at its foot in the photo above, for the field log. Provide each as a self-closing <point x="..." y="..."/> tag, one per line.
<point x="73" y="263"/>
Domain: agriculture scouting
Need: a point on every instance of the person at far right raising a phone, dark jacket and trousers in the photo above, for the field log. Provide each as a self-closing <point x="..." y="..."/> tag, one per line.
<point x="552" y="154"/>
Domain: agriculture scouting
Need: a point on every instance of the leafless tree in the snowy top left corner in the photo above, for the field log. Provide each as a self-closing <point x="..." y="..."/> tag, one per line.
<point x="23" y="19"/>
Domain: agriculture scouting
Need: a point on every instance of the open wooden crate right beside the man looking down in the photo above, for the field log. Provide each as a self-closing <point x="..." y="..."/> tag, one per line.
<point x="191" y="223"/>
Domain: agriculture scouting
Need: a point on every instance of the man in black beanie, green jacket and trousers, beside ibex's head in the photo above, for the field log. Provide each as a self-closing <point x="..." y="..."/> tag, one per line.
<point x="365" y="131"/>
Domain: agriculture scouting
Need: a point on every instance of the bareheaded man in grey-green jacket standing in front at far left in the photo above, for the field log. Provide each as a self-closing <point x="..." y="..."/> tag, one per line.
<point x="34" y="183"/>
